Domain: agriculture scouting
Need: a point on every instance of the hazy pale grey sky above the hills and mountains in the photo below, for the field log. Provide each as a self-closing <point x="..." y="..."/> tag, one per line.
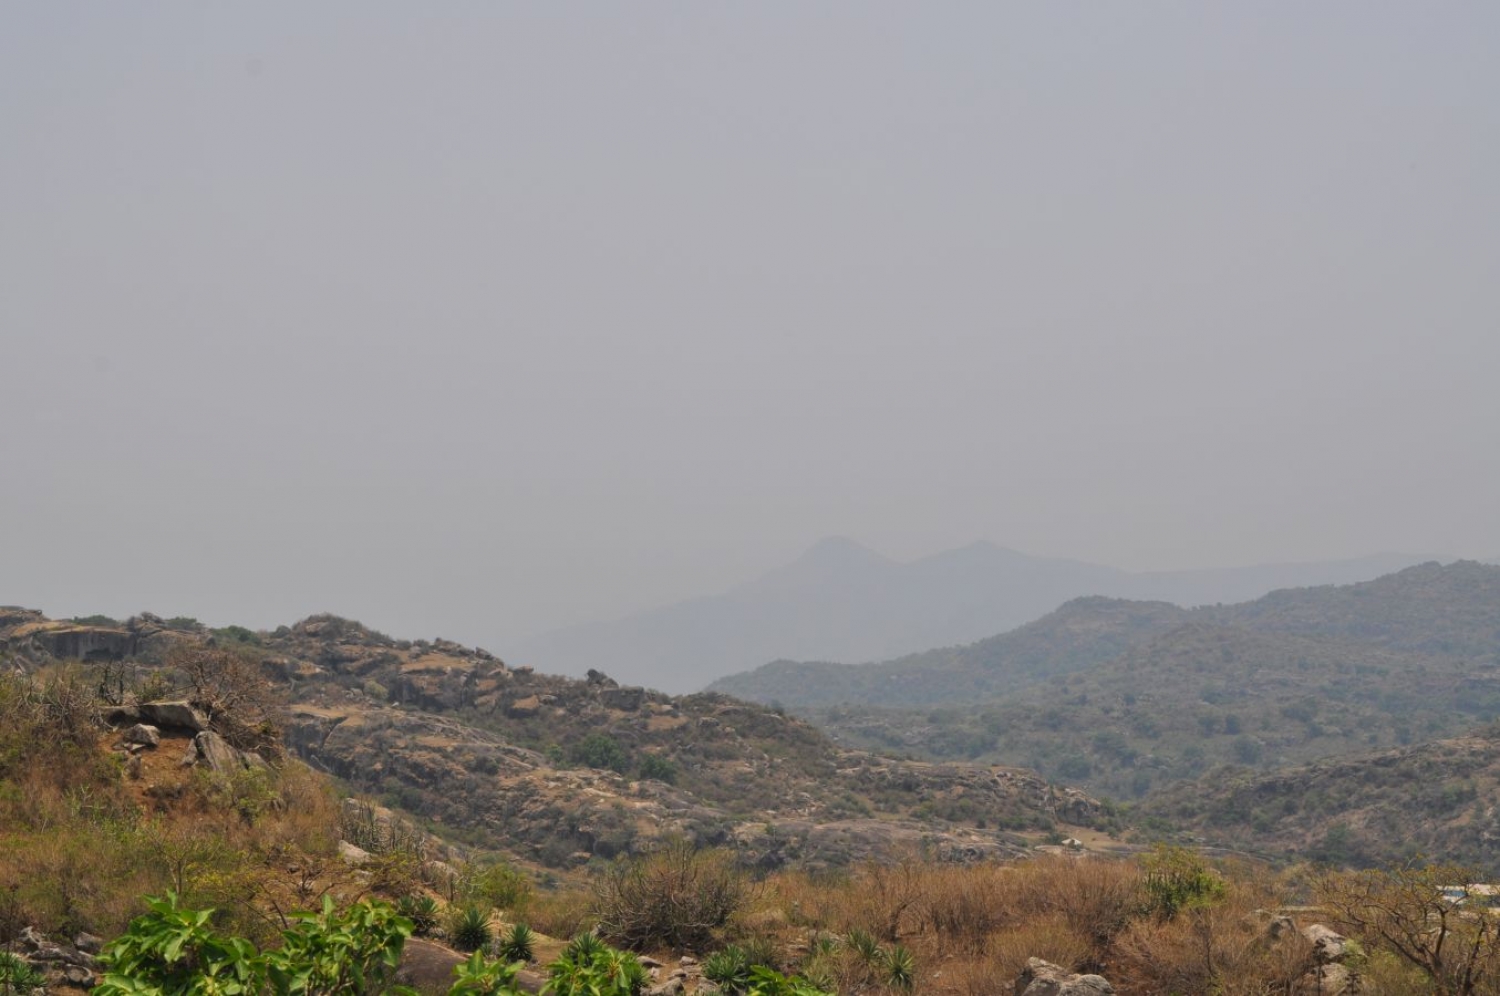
<point x="476" y="319"/>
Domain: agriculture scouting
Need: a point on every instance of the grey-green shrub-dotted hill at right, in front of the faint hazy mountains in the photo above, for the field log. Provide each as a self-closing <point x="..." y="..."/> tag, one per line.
<point x="1126" y="698"/>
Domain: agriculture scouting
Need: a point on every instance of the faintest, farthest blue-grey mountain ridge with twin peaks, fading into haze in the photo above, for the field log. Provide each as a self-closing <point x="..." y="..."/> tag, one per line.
<point x="845" y="602"/>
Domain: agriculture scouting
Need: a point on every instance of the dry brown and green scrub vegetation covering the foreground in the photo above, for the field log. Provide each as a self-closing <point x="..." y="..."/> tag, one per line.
<point x="83" y="845"/>
